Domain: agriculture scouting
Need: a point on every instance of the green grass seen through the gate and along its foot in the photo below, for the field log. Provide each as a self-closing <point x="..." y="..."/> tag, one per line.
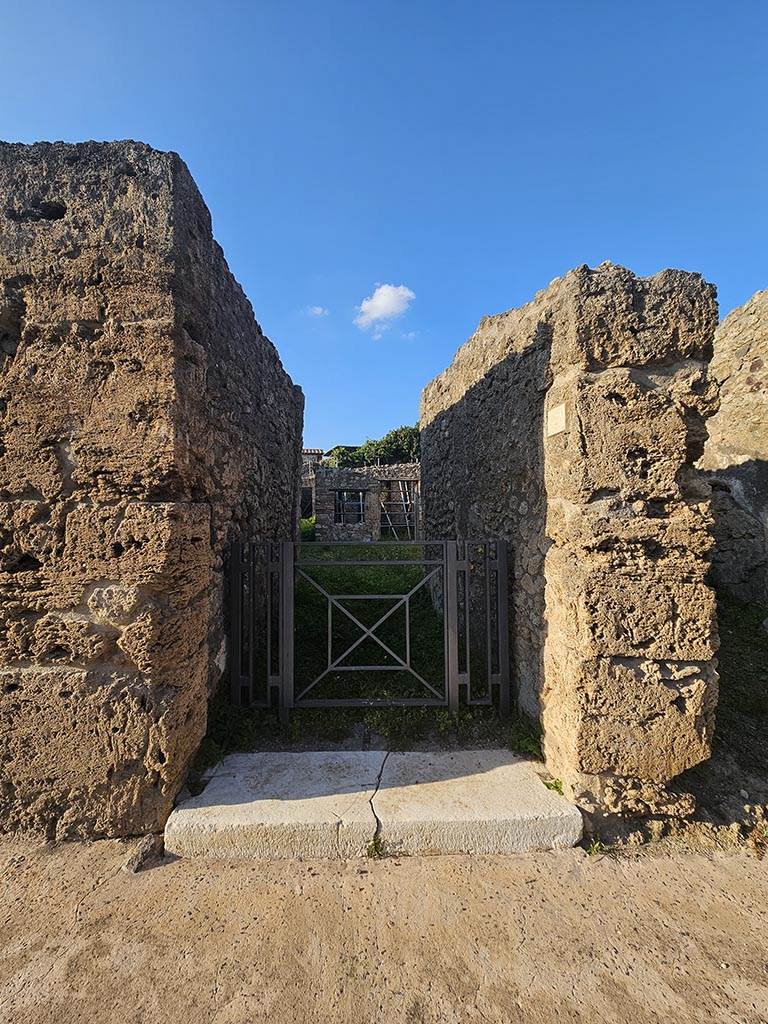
<point x="232" y="729"/>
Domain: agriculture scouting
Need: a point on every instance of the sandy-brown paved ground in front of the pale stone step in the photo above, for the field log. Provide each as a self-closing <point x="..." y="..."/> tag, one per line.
<point x="557" y="937"/>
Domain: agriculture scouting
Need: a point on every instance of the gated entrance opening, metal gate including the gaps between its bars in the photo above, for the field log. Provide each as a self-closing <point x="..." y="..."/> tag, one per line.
<point x="351" y="625"/>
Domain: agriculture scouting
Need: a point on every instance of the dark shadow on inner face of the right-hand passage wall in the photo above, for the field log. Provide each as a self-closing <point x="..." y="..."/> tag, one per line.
<point x="483" y="476"/>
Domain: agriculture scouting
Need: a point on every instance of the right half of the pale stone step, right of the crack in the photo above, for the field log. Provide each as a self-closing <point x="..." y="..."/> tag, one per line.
<point x="471" y="802"/>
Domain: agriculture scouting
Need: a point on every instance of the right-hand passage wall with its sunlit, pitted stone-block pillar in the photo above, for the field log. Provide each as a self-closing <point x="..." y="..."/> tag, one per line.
<point x="571" y="426"/>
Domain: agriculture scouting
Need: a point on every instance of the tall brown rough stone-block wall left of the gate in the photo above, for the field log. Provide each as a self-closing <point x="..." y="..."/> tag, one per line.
<point x="145" y="419"/>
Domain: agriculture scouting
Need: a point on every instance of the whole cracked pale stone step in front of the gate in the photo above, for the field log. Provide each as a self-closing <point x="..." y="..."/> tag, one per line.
<point x="343" y="804"/>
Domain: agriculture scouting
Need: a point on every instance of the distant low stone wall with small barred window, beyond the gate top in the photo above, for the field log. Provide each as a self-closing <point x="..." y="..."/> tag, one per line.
<point x="329" y="480"/>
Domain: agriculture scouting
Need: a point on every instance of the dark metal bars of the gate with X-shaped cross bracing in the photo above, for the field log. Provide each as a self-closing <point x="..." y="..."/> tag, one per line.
<point x="283" y="566"/>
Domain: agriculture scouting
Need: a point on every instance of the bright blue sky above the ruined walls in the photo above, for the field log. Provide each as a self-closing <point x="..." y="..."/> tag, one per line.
<point x="463" y="153"/>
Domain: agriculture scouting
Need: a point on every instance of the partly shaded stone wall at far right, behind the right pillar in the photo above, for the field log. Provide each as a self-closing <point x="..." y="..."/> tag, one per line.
<point x="737" y="453"/>
